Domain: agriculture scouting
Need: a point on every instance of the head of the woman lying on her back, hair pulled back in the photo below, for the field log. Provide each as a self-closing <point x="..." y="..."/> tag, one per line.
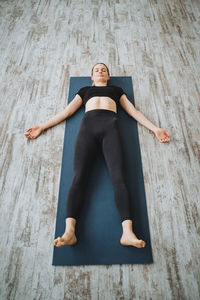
<point x="100" y="74"/>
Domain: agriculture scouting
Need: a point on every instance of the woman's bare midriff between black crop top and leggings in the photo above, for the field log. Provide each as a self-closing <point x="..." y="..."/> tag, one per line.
<point x="101" y="103"/>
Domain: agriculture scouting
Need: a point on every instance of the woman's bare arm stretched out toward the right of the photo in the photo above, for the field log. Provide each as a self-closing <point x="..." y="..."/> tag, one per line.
<point x="161" y="134"/>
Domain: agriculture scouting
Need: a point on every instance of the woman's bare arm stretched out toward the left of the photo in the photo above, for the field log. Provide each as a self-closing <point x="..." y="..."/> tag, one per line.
<point x="72" y="107"/>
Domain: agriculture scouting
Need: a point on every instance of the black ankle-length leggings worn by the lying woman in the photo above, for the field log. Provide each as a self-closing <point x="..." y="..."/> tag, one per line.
<point x="99" y="128"/>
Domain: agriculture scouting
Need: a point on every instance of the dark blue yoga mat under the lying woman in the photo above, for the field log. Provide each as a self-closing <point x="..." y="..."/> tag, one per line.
<point x="98" y="228"/>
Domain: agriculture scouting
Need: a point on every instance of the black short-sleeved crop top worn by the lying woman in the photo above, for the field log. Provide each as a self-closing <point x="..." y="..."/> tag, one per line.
<point x="112" y="91"/>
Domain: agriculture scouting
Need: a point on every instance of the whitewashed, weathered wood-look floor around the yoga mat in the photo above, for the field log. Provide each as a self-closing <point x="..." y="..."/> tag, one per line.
<point x="42" y="44"/>
